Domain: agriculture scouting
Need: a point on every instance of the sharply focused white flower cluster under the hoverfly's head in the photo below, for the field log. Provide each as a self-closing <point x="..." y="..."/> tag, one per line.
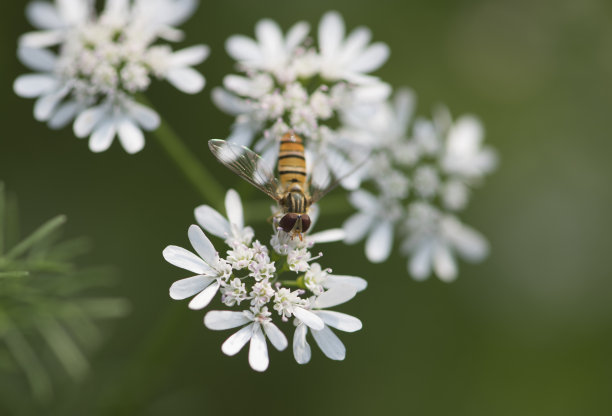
<point x="247" y="277"/>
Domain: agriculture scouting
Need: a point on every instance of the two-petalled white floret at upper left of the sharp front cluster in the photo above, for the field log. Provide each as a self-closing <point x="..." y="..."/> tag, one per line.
<point x="231" y="229"/>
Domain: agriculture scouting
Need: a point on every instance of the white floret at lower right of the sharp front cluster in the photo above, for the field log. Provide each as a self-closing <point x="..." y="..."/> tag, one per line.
<point x="329" y="343"/>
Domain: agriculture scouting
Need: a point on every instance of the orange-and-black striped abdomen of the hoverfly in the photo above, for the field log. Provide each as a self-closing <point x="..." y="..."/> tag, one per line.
<point x="291" y="161"/>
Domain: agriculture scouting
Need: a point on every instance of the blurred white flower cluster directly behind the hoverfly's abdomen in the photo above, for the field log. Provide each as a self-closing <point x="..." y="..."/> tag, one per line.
<point x="289" y="84"/>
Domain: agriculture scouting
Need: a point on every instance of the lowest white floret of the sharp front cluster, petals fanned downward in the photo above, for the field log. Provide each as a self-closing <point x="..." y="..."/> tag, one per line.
<point x="257" y="323"/>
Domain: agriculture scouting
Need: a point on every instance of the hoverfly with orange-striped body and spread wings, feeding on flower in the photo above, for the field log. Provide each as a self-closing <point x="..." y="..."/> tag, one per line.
<point x="293" y="191"/>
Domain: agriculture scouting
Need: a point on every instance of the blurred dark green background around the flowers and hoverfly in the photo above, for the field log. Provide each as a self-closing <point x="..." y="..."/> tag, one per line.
<point x="528" y="332"/>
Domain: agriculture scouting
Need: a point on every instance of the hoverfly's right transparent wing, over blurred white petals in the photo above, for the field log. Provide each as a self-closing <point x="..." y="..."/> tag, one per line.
<point x="330" y="170"/>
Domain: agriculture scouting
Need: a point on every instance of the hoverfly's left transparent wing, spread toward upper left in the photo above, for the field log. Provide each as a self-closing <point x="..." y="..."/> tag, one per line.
<point x="246" y="164"/>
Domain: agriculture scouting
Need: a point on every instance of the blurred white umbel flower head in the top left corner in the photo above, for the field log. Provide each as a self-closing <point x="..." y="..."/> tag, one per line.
<point x="89" y="68"/>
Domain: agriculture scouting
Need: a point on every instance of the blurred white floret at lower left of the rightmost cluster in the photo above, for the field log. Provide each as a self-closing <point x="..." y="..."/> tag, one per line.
<point x="376" y="217"/>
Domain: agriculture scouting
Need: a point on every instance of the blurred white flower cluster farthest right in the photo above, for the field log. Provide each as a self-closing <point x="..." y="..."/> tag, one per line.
<point x="421" y="178"/>
